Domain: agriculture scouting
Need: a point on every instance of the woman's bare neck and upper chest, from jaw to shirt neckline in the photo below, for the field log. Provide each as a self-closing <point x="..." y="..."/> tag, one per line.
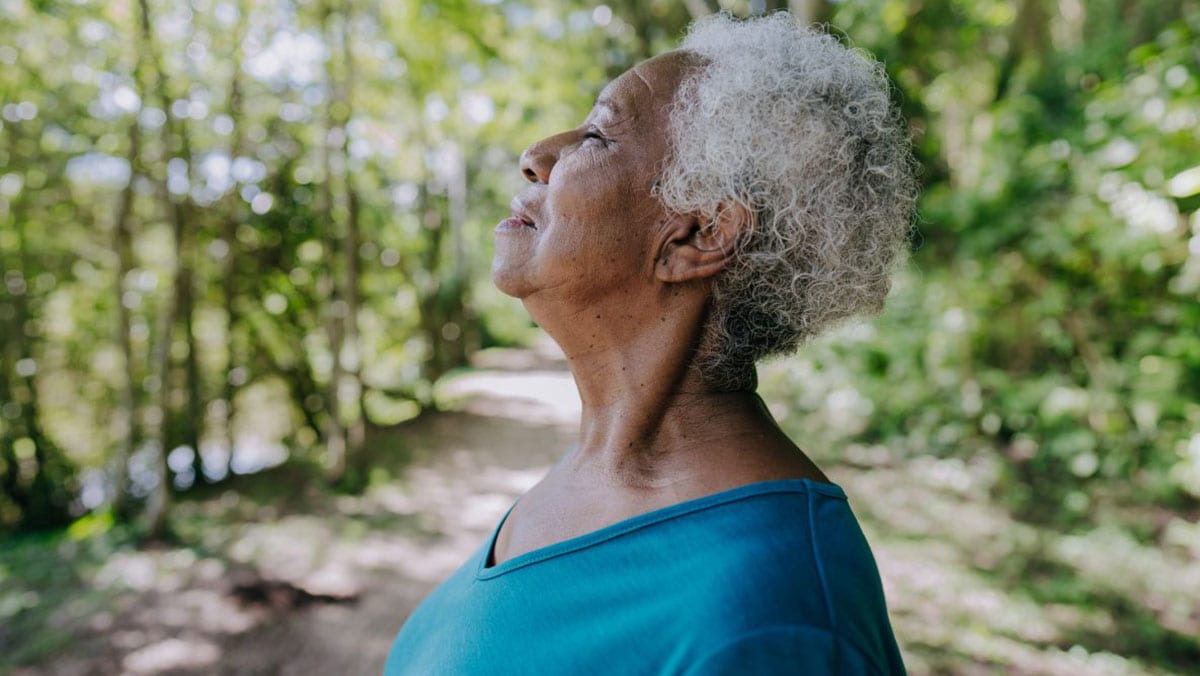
<point x="653" y="433"/>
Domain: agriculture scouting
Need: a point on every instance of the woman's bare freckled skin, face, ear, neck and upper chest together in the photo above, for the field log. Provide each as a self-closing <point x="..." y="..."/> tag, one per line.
<point x="623" y="286"/>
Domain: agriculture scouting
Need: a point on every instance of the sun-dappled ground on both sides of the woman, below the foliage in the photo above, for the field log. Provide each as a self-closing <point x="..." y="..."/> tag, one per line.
<point x="283" y="578"/>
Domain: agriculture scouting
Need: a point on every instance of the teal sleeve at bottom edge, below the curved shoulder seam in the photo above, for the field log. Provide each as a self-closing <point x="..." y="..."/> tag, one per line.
<point x="784" y="650"/>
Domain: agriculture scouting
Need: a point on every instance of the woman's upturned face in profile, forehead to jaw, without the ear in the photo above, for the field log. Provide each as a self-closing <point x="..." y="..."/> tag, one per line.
<point x="587" y="225"/>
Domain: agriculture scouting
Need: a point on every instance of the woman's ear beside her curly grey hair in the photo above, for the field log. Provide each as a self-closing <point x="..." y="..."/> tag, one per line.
<point x="700" y="247"/>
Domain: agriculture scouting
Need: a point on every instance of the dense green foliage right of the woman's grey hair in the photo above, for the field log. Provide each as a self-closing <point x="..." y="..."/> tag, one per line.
<point x="1049" y="319"/>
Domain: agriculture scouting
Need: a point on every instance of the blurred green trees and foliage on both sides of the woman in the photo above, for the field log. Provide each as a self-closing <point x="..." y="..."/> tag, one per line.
<point x="238" y="234"/>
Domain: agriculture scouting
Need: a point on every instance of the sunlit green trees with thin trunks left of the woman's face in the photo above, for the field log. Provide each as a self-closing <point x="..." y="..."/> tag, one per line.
<point x="238" y="231"/>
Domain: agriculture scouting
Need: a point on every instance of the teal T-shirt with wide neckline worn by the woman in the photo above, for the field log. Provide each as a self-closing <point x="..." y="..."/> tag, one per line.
<point x="770" y="578"/>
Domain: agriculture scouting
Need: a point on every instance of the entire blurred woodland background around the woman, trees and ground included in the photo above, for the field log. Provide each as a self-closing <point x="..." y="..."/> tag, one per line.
<point x="257" y="394"/>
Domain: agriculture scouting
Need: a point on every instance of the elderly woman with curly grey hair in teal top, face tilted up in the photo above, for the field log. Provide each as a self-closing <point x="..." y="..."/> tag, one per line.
<point x="721" y="205"/>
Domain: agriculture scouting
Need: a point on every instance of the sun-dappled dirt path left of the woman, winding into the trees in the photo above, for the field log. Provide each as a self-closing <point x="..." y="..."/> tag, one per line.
<point x="266" y="599"/>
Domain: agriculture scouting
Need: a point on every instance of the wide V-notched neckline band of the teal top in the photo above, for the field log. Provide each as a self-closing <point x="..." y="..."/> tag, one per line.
<point x="605" y="534"/>
